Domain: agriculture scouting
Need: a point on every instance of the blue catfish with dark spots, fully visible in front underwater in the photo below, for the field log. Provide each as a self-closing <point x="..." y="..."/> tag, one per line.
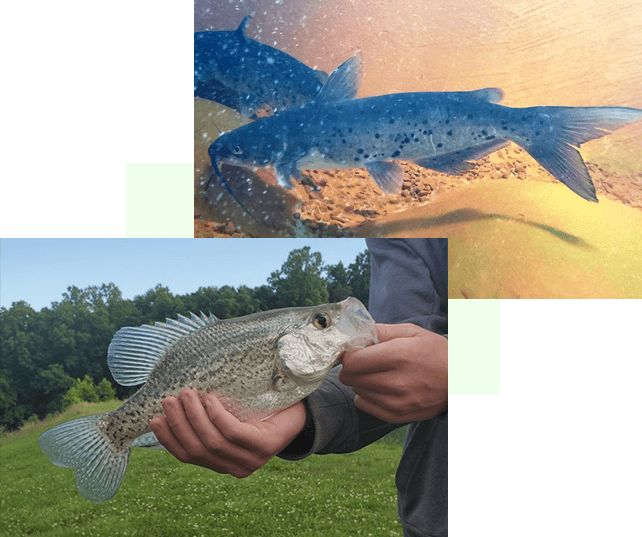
<point x="442" y="131"/>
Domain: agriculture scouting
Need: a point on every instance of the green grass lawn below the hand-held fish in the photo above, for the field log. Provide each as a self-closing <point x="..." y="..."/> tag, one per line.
<point x="352" y="494"/>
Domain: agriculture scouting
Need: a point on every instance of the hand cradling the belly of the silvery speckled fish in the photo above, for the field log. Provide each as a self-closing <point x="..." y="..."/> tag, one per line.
<point x="199" y="430"/>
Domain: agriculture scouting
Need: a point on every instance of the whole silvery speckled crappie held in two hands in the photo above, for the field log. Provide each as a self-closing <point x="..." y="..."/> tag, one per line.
<point x="257" y="365"/>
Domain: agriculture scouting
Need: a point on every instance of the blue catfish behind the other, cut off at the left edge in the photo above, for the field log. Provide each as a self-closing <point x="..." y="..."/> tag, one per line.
<point x="230" y="64"/>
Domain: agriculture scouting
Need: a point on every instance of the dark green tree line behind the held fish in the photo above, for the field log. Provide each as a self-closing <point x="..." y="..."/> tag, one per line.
<point x="45" y="354"/>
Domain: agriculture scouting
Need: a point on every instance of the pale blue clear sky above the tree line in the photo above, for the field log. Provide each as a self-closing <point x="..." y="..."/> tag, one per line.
<point x="38" y="271"/>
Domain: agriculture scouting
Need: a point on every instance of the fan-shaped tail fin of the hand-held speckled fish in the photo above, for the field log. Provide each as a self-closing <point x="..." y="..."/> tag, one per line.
<point x="78" y="444"/>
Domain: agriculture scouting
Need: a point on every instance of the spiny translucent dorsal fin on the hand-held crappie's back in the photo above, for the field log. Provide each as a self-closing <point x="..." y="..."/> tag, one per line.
<point x="134" y="351"/>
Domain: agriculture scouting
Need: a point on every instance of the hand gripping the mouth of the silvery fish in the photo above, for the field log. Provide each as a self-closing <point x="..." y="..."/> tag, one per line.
<point x="403" y="378"/>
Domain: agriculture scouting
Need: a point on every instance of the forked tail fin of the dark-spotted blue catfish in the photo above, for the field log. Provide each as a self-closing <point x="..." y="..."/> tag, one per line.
<point x="563" y="128"/>
